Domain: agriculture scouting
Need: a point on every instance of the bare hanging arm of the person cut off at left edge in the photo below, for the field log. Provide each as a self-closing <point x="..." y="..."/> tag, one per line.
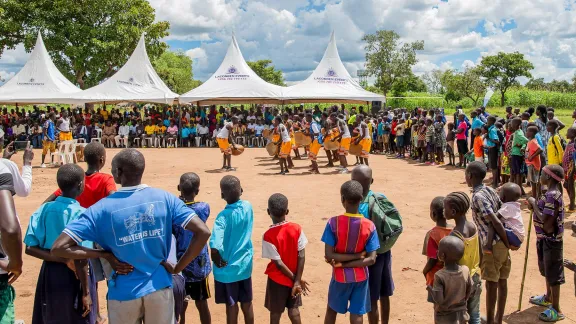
<point x="11" y="235"/>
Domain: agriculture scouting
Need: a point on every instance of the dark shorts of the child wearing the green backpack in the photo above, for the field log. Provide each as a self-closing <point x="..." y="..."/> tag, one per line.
<point x="380" y="279"/>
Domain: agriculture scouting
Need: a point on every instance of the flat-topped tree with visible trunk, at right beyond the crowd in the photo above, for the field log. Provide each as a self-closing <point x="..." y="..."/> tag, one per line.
<point x="503" y="70"/>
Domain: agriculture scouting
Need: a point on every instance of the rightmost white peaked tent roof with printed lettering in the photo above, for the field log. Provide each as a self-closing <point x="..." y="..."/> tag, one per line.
<point x="330" y="82"/>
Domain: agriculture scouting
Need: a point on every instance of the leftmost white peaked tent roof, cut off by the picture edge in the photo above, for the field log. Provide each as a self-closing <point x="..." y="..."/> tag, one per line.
<point x="39" y="81"/>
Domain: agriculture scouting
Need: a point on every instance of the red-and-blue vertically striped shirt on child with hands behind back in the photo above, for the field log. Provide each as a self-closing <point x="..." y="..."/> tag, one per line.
<point x="349" y="234"/>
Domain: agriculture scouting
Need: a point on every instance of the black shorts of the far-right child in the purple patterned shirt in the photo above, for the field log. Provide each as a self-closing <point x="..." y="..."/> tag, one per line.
<point x="550" y="261"/>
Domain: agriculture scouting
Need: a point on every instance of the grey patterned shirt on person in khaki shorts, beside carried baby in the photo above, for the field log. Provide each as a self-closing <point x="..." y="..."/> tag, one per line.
<point x="485" y="201"/>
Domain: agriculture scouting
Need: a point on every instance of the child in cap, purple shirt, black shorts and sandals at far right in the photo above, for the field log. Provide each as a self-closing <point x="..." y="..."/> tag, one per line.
<point x="548" y="216"/>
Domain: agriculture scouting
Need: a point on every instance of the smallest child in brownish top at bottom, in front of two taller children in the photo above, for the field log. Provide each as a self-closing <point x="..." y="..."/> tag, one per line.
<point x="452" y="284"/>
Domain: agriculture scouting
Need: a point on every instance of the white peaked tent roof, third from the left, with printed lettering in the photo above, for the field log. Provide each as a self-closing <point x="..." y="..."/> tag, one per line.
<point x="234" y="82"/>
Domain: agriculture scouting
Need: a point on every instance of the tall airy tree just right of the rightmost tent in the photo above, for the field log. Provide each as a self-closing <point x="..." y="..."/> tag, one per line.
<point x="388" y="59"/>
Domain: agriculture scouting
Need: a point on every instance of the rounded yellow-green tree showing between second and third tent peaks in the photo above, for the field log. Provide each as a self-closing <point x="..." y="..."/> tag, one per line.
<point x="175" y="69"/>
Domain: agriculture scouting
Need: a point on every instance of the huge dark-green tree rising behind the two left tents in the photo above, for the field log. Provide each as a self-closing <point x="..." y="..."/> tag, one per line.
<point x="88" y="40"/>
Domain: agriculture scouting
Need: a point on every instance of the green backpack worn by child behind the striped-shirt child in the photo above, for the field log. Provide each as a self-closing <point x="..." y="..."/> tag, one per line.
<point x="387" y="220"/>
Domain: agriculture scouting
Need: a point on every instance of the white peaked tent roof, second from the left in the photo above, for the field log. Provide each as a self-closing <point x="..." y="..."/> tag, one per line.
<point x="136" y="81"/>
